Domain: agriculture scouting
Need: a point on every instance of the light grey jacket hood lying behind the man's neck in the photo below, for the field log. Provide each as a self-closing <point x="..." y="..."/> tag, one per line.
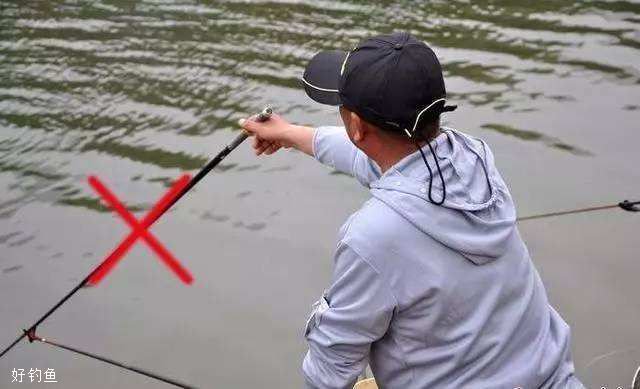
<point x="478" y="215"/>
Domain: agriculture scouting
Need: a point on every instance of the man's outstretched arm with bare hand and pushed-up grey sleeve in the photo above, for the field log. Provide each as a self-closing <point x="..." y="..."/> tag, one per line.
<point x="329" y="145"/>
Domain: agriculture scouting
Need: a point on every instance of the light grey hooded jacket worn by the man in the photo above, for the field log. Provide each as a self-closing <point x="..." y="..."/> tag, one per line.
<point x="433" y="296"/>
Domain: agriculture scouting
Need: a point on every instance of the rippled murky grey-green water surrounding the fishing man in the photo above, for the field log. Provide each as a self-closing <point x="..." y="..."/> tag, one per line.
<point x="139" y="93"/>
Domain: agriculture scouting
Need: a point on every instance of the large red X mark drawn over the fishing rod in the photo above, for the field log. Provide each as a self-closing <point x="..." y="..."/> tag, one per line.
<point x="140" y="229"/>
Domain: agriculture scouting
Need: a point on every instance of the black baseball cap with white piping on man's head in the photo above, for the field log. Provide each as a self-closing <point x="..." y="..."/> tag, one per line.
<point x="392" y="81"/>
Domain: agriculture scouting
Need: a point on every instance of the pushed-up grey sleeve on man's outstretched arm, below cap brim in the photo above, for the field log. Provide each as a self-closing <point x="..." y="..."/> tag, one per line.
<point x="332" y="147"/>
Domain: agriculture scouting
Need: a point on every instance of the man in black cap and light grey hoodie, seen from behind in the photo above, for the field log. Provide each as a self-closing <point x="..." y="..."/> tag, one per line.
<point x="432" y="285"/>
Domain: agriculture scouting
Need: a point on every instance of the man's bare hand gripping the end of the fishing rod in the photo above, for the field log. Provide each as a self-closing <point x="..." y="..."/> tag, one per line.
<point x="268" y="136"/>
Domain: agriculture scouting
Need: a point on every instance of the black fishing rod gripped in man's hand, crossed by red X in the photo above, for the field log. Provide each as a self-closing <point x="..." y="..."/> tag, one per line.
<point x="31" y="332"/>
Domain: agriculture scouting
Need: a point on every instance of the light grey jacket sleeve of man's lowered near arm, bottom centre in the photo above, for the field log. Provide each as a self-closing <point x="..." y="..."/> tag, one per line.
<point x="350" y="316"/>
